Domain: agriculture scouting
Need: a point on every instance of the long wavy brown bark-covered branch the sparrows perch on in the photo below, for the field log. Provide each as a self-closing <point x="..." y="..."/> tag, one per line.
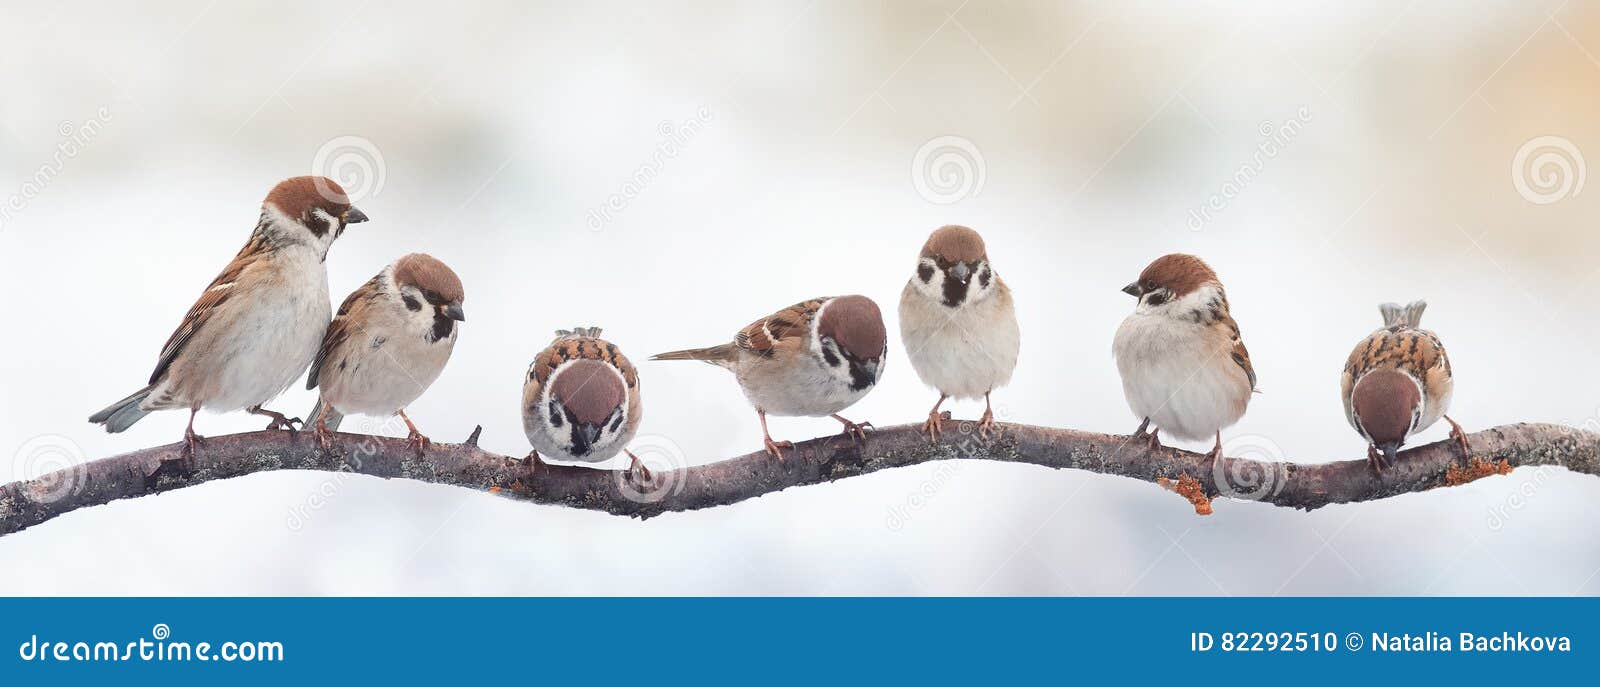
<point x="159" y="470"/>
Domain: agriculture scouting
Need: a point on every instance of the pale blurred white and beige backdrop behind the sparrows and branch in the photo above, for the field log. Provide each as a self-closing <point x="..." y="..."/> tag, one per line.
<point x="674" y="171"/>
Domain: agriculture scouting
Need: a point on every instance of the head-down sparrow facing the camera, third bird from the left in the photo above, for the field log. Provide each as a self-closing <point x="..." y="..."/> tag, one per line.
<point x="582" y="401"/>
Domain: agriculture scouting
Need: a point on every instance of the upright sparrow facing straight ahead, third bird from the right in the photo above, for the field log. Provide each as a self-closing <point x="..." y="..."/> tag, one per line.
<point x="959" y="324"/>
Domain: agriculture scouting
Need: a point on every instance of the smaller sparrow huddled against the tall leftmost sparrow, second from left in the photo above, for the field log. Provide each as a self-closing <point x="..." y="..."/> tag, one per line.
<point x="388" y="343"/>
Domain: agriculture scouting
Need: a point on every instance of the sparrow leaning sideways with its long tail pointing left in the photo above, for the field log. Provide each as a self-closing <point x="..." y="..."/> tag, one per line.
<point x="812" y="360"/>
